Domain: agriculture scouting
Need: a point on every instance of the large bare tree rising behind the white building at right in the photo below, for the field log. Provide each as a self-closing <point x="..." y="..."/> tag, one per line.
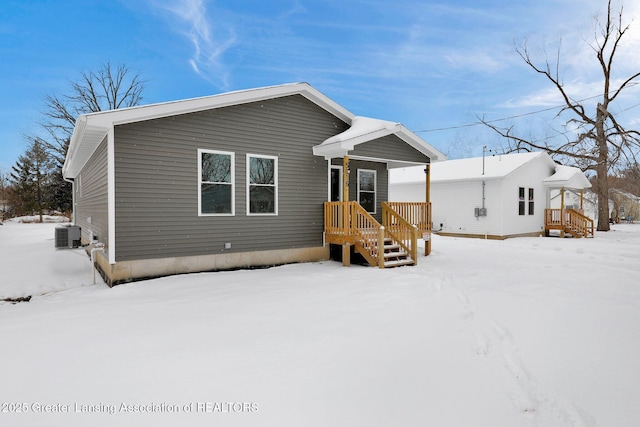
<point x="599" y="142"/>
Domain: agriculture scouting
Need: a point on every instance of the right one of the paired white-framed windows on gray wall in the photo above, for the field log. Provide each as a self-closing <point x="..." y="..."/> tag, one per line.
<point x="262" y="184"/>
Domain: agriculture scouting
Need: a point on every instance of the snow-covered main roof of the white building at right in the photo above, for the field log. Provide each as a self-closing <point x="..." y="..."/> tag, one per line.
<point x="495" y="167"/>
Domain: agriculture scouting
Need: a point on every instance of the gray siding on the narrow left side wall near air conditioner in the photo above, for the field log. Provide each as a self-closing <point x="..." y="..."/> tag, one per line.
<point x="91" y="186"/>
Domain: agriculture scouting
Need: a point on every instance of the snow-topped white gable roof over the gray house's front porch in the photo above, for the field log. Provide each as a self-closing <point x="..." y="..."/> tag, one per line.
<point x="364" y="129"/>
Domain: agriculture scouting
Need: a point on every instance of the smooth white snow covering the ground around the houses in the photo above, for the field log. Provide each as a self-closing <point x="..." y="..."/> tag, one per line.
<point x="522" y="332"/>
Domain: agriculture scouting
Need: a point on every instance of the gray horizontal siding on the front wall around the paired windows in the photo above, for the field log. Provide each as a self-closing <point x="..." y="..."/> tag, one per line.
<point x="156" y="169"/>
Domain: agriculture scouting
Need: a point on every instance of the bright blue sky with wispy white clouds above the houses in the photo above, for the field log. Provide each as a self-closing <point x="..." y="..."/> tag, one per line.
<point x="428" y="64"/>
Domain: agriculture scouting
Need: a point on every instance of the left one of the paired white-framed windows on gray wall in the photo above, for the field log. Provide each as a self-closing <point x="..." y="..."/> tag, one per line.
<point x="216" y="176"/>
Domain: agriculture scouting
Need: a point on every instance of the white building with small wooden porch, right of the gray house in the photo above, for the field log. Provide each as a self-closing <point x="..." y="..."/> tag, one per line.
<point x="492" y="197"/>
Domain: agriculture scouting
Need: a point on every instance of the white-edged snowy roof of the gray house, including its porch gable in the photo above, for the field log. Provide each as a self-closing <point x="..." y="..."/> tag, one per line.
<point x="91" y="129"/>
